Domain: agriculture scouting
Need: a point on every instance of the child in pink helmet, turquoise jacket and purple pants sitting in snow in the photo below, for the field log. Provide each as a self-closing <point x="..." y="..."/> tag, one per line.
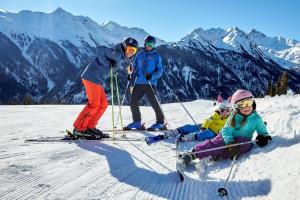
<point x="239" y="128"/>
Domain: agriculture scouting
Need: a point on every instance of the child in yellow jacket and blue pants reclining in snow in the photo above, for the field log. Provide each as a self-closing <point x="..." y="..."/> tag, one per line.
<point x="209" y="129"/>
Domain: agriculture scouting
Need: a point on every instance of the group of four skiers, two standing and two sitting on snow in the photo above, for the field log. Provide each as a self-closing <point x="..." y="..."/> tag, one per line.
<point x="235" y="120"/>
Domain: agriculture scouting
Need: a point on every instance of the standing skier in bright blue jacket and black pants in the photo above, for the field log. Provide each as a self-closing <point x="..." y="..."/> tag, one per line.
<point x="147" y="68"/>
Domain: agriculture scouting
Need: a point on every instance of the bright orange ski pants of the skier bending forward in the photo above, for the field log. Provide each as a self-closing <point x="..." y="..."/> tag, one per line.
<point x="96" y="106"/>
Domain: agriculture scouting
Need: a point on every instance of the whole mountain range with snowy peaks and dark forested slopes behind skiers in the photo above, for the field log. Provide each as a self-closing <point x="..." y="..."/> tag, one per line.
<point x="58" y="45"/>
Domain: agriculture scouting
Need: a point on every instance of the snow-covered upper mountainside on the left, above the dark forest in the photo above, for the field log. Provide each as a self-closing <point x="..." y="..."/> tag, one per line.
<point x="61" y="25"/>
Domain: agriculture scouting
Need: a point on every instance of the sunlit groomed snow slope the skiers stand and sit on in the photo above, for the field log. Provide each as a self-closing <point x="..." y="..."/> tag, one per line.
<point x="134" y="170"/>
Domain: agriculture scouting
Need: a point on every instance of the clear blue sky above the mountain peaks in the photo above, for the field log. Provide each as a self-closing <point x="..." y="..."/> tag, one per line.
<point x="171" y="20"/>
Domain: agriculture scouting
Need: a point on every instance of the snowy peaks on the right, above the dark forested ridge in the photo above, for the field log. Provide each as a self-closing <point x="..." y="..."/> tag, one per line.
<point x="284" y="51"/>
